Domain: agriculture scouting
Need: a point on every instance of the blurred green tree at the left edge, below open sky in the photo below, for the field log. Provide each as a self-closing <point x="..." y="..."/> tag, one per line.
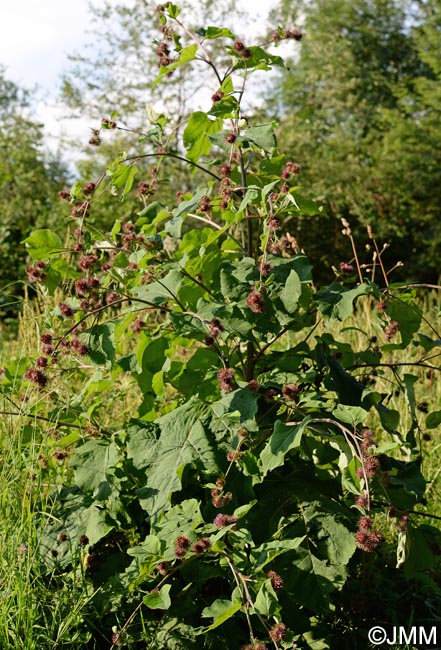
<point x="29" y="183"/>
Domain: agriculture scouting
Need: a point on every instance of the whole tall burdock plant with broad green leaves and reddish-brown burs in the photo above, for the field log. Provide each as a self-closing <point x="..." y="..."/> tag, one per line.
<point x="232" y="477"/>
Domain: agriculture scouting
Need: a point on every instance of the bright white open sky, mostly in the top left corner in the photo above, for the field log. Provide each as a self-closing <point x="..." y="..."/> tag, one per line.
<point x="36" y="37"/>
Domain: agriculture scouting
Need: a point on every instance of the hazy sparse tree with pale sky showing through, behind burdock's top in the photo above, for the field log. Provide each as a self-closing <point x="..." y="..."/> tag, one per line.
<point x="114" y="75"/>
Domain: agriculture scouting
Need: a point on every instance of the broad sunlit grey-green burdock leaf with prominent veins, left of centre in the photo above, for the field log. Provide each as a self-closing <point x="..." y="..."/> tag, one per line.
<point x="183" y="440"/>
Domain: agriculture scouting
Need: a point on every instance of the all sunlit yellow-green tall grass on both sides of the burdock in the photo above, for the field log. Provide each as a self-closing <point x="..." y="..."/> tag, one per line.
<point x="39" y="611"/>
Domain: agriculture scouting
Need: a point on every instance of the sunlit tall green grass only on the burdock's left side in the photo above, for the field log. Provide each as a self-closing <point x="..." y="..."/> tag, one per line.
<point x="36" y="611"/>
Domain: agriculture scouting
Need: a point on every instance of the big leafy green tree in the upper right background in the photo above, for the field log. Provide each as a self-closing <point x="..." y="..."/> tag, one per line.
<point x="355" y="90"/>
